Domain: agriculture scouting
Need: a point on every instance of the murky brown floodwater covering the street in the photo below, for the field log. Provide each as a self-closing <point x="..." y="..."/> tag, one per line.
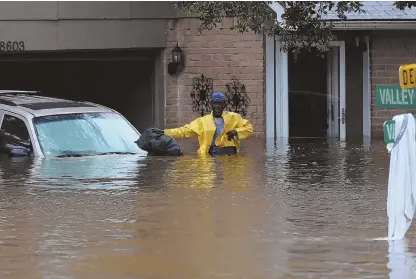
<point x="300" y="211"/>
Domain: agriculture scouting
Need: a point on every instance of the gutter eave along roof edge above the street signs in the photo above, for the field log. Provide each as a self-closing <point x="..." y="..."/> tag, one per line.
<point x="375" y="25"/>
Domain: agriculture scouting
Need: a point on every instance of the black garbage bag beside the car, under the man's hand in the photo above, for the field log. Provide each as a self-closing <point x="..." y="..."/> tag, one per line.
<point x="158" y="144"/>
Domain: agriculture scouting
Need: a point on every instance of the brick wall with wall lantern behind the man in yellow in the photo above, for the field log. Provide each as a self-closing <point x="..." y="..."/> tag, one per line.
<point x="220" y="54"/>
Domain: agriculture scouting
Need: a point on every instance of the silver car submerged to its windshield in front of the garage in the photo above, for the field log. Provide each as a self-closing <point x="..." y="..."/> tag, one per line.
<point x="39" y="126"/>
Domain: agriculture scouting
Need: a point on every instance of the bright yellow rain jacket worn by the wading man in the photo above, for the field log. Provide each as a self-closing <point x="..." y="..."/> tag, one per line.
<point x="204" y="127"/>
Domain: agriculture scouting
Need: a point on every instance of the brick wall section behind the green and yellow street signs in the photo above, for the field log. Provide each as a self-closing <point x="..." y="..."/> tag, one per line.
<point x="389" y="50"/>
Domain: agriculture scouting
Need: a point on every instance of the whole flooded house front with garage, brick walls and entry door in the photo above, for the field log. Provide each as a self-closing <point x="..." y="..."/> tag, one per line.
<point x="117" y="54"/>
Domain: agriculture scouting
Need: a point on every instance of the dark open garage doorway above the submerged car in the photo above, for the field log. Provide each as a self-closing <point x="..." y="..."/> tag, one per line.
<point x="122" y="80"/>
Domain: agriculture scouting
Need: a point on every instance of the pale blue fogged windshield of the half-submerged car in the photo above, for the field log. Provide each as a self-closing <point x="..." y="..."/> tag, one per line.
<point x="85" y="134"/>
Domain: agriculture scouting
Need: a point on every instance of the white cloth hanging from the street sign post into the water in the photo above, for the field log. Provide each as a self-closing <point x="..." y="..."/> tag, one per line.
<point x="402" y="178"/>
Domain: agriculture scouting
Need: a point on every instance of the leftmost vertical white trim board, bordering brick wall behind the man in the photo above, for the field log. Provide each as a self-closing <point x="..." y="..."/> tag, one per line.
<point x="270" y="76"/>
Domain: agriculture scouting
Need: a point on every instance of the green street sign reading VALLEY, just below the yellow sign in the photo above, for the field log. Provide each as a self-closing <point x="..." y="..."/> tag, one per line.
<point x="392" y="96"/>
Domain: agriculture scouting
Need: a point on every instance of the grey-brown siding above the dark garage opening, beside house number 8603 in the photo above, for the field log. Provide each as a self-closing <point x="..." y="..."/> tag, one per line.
<point x="60" y="25"/>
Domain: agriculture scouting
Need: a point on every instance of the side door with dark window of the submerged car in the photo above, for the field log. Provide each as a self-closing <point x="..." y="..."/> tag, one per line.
<point x="14" y="131"/>
